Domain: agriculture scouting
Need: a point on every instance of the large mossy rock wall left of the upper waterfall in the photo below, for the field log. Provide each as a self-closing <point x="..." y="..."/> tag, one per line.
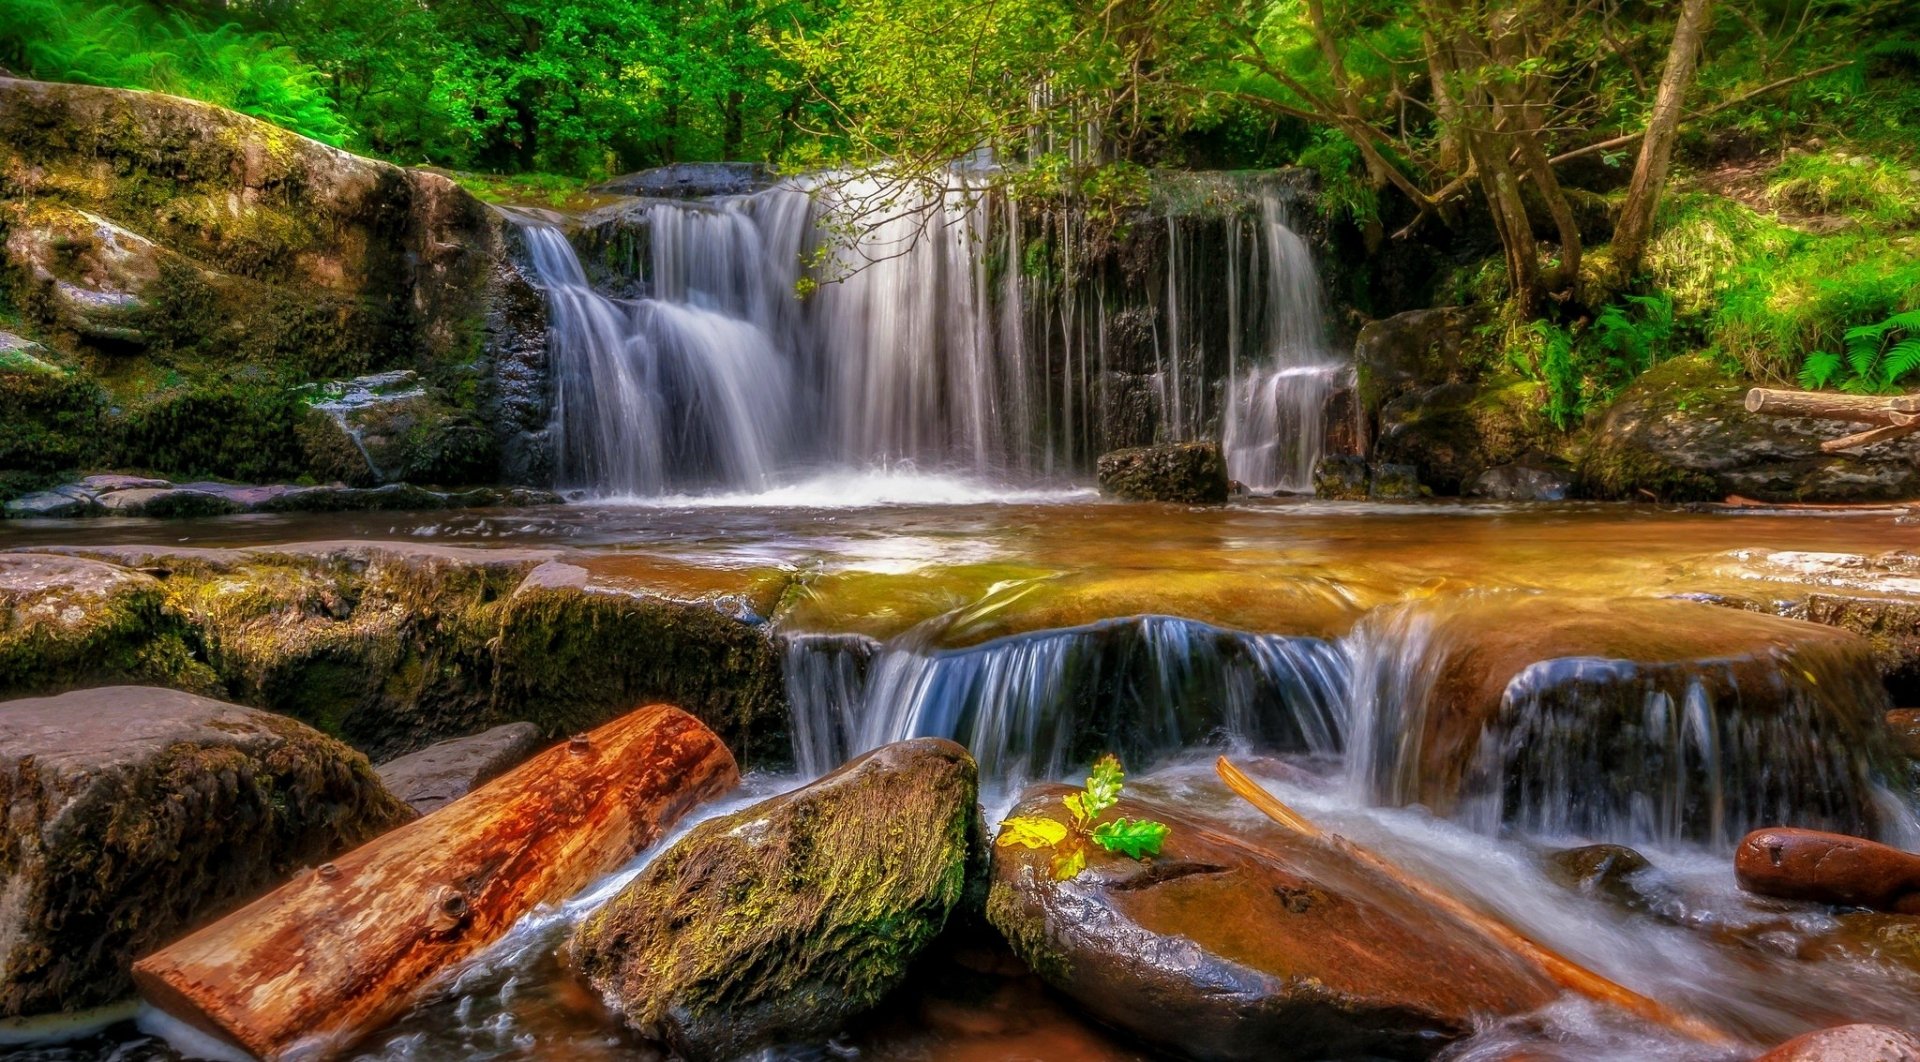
<point x="197" y="285"/>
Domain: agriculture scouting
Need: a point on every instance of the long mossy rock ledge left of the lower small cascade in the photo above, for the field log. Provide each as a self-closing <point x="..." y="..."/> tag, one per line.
<point x="396" y="646"/>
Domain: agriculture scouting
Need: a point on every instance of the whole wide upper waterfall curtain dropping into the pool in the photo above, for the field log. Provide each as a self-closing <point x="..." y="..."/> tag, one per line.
<point x="834" y="324"/>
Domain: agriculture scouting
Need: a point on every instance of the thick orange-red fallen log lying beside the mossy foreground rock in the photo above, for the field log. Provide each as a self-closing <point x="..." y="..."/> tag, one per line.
<point x="310" y="969"/>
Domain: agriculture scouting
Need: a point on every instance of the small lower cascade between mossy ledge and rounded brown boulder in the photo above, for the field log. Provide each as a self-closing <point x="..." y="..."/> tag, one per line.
<point x="1032" y="706"/>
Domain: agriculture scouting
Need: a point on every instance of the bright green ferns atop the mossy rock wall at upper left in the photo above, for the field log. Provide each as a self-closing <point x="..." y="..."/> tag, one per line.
<point x="130" y="45"/>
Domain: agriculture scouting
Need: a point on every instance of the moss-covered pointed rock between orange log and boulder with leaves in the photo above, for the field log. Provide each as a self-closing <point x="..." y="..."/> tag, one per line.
<point x="792" y="917"/>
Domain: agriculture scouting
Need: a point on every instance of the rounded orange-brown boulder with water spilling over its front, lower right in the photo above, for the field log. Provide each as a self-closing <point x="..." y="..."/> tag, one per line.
<point x="1620" y="719"/>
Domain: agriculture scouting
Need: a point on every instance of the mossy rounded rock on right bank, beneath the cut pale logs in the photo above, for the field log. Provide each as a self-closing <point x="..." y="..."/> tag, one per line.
<point x="1681" y="433"/>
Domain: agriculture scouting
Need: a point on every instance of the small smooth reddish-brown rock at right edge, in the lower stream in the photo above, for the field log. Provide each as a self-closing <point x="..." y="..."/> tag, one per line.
<point x="1810" y="865"/>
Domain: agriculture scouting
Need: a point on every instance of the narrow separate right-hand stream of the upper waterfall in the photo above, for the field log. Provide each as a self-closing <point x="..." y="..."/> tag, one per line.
<point x="1276" y="410"/>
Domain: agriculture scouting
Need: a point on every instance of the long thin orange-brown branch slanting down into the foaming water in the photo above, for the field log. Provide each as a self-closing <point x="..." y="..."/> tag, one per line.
<point x="1560" y="969"/>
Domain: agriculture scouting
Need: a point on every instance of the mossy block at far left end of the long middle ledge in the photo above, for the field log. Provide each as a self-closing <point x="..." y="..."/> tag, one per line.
<point x="70" y="621"/>
